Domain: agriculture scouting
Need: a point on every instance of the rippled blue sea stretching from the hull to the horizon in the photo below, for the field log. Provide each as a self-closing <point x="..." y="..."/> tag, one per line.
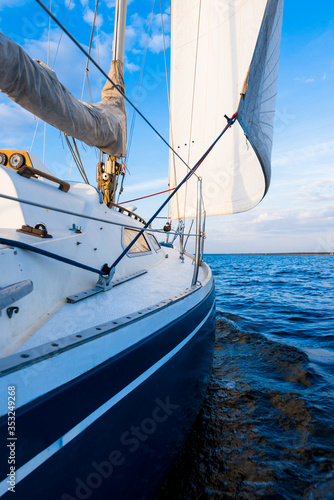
<point x="266" y="426"/>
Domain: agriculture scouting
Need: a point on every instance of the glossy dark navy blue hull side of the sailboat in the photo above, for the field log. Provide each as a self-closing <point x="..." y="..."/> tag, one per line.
<point x="126" y="452"/>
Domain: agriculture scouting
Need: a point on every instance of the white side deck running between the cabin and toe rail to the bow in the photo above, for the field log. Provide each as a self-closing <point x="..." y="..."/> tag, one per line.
<point x="125" y="299"/>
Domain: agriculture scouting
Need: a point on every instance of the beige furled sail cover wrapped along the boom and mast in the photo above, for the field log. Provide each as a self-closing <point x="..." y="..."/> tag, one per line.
<point x="37" y="89"/>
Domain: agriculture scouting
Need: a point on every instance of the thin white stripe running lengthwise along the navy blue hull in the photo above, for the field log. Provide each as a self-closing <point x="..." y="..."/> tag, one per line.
<point x="66" y="438"/>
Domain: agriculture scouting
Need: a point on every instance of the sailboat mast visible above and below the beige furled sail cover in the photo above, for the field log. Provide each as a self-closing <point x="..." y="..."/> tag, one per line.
<point x="109" y="172"/>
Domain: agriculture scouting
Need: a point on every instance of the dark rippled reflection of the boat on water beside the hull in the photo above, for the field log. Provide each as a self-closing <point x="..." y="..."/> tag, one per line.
<point x="265" y="429"/>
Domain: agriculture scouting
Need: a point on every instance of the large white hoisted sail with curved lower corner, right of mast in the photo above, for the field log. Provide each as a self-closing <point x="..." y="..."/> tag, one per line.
<point x="213" y="44"/>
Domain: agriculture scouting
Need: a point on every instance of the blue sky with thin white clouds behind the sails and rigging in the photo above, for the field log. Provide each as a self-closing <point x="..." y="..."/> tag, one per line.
<point x="298" y="212"/>
